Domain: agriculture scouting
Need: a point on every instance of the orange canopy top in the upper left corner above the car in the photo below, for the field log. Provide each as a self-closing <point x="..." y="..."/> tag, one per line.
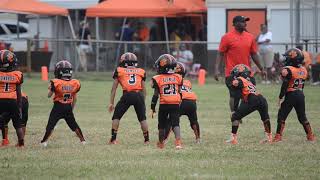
<point x="31" y="7"/>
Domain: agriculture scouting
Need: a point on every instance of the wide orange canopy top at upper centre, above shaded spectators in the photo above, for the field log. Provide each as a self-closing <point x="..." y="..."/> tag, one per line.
<point x="134" y="8"/>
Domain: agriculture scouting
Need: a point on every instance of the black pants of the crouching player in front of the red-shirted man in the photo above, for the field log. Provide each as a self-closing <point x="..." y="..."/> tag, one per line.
<point x="255" y="102"/>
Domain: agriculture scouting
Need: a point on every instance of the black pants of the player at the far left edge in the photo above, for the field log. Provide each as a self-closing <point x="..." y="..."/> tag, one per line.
<point x="9" y="108"/>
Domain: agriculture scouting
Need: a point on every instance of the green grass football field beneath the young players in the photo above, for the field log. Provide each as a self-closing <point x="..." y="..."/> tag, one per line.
<point x="66" y="158"/>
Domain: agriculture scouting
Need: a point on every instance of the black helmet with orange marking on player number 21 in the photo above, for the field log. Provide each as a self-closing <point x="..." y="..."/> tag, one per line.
<point x="166" y="64"/>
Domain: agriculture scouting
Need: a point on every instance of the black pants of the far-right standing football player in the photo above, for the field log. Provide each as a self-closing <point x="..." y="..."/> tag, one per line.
<point x="294" y="100"/>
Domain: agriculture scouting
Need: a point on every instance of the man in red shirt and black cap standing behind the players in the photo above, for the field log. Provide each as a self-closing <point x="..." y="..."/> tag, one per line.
<point x="236" y="47"/>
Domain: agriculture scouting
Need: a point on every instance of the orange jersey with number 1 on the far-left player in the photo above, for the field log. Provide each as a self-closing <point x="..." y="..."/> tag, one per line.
<point x="8" y="84"/>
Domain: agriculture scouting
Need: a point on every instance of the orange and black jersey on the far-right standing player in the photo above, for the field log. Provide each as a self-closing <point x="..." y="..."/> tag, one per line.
<point x="298" y="77"/>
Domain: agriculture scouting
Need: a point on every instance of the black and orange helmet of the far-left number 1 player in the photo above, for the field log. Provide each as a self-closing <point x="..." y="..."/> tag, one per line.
<point x="8" y="60"/>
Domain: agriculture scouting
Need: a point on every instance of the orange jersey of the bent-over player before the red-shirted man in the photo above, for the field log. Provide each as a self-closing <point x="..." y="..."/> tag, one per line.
<point x="246" y="86"/>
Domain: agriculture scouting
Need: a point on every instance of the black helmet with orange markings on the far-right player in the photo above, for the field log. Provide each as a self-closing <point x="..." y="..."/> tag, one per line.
<point x="293" y="57"/>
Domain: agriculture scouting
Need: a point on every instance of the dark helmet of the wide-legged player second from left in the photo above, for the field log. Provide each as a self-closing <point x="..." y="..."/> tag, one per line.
<point x="63" y="70"/>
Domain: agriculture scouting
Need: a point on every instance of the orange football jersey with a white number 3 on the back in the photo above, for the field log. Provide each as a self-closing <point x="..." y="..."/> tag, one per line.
<point x="130" y="78"/>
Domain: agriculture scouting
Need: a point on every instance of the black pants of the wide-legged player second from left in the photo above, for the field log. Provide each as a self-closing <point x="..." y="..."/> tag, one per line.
<point x="61" y="111"/>
